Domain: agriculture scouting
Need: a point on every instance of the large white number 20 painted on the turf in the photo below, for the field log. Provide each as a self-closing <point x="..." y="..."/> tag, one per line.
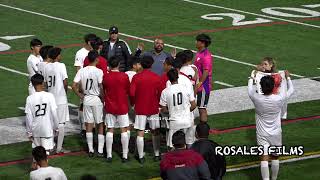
<point x="238" y="19"/>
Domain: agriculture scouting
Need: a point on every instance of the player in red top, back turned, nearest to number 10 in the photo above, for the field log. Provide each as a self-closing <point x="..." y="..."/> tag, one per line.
<point x="145" y="91"/>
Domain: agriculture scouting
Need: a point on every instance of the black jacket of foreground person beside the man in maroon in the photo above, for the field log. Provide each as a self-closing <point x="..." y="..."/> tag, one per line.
<point x="216" y="163"/>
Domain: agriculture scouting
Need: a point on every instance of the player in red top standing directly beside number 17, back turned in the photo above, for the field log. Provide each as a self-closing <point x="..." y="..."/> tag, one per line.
<point x="116" y="92"/>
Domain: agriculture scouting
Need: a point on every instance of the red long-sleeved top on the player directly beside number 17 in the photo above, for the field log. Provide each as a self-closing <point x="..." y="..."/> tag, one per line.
<point x="116" y="91"/>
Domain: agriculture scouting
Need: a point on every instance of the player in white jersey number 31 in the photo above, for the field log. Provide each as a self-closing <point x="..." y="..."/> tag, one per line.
<point x="55" y="75"/>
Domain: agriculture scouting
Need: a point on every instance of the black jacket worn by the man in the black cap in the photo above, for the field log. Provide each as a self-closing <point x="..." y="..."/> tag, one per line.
<point x="120" y="49"/>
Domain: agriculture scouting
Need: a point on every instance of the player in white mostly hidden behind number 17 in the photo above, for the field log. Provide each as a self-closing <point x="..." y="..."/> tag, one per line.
<point x="78" y="63"/>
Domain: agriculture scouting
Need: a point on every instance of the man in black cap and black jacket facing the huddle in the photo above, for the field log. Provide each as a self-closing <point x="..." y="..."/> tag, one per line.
<point x="116" y="47"/>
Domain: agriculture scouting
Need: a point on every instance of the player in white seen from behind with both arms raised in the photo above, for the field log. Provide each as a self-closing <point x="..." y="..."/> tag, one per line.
<point x="268" y="120"/>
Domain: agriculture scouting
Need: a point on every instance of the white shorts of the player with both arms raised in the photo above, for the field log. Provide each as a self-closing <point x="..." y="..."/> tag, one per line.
<point x="267" y="141"/>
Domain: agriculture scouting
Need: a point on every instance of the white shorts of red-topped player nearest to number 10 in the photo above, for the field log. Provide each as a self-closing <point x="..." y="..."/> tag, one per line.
<point x="141" y="122"/>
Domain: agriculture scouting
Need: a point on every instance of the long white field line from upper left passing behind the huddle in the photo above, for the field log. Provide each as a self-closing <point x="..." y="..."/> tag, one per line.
<point x="127" y="35"/>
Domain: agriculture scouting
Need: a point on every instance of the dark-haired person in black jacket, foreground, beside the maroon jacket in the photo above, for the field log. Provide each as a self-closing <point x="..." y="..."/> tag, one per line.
<point x="206" y="147"/>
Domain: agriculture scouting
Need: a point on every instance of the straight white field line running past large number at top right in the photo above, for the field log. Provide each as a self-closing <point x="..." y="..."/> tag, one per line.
<point x="246" y="12"/>
